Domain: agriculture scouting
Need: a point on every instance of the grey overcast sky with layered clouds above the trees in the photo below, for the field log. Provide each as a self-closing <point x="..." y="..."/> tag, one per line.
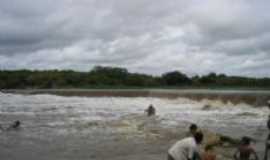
<point x="146" y="36"/>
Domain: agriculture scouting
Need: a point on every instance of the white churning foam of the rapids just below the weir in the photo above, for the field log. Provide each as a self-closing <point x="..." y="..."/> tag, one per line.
<point x="57" y="110"/>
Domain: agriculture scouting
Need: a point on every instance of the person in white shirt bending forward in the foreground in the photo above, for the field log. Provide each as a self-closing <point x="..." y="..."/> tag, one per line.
<point x="187" y="148"/>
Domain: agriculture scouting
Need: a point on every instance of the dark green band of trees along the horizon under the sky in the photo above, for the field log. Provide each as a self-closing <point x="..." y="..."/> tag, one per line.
<point x="109" y="77"/>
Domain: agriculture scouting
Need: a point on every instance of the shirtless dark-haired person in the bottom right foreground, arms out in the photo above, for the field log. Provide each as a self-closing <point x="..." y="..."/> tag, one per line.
<point x="245" y="150"/>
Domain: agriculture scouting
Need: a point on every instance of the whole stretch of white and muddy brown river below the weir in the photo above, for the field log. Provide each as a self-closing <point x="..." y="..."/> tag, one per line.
<point x="57" y="128"/>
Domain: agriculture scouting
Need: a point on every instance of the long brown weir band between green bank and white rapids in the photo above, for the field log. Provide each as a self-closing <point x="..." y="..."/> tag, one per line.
<point x="252" y="97"/>
